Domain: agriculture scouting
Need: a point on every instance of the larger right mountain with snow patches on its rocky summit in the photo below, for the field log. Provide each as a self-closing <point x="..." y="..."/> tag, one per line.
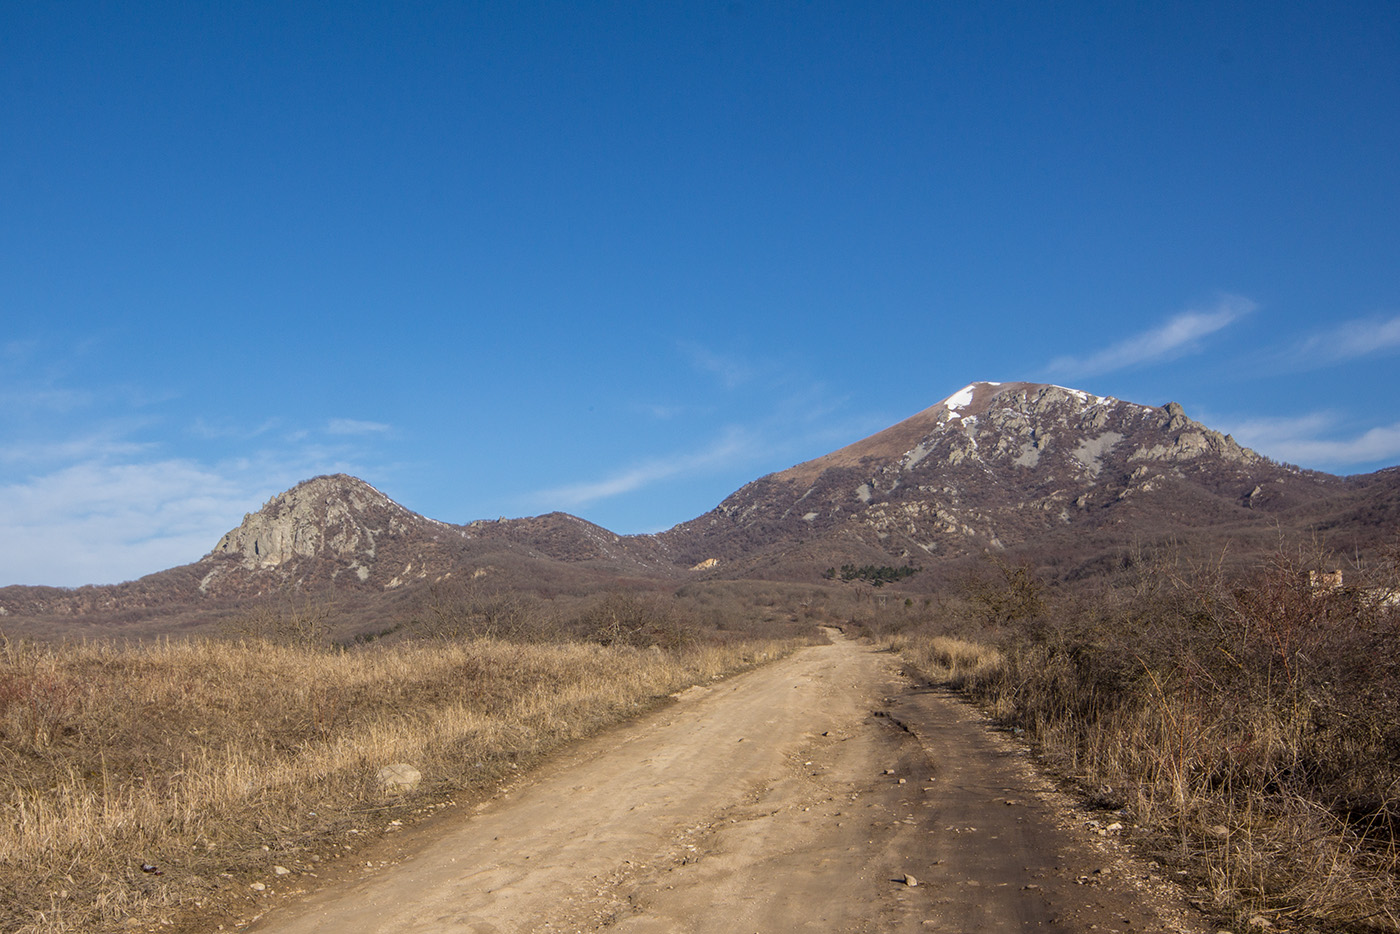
<point x="1000" y="467"/>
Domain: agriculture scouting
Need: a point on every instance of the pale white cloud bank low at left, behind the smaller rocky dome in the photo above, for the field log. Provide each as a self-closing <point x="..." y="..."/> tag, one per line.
<point x="110" y="503"/>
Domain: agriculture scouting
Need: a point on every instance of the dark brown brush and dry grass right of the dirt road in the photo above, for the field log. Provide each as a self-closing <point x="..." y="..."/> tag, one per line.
<point x="1249" y="727"/>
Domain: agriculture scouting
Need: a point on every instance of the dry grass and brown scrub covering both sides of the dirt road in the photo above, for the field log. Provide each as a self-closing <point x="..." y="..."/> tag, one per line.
<point x="1245" y="726"/>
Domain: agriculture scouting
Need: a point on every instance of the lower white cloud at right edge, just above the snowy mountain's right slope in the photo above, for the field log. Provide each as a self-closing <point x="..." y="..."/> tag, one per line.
<point x="1304" y="440"/>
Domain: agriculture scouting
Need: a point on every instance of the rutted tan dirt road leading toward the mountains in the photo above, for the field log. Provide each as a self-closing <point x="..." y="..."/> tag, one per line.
<point x="797" y="797"/>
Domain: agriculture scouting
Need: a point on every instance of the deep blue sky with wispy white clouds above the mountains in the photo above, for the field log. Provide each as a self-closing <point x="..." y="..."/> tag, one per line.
<point x="622" y="258"/>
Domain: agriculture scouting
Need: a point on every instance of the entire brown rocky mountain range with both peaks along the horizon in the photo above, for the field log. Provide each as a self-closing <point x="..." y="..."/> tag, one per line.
<point x="1060" y="477"/>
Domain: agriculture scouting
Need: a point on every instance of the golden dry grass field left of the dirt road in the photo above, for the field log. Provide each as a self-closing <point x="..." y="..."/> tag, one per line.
<point x="209" y="764"/>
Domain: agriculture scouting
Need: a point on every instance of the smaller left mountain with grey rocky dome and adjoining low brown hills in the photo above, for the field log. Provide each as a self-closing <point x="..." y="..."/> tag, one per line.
<point x="341" y="534"/>
